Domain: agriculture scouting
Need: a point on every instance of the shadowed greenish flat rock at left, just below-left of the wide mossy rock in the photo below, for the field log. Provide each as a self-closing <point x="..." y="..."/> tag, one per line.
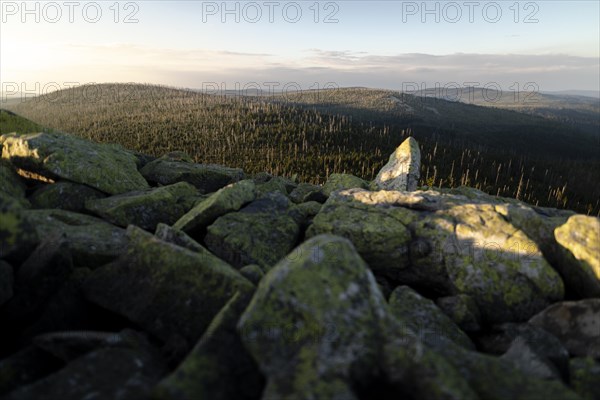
<point x="92" y="241"/>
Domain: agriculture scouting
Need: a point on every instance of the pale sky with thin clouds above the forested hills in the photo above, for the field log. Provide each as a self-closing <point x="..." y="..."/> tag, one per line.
<point x="282" y="45"/>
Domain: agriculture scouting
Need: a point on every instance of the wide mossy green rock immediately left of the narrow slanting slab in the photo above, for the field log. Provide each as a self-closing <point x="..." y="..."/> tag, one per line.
<point x="146" y="208"/>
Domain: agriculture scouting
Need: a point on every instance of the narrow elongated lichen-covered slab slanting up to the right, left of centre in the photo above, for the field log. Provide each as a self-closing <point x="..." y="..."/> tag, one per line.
<point x="225" y="200"/>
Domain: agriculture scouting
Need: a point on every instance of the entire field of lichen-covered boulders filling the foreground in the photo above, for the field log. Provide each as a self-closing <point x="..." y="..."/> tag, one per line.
<point x="123" y="276"/>
